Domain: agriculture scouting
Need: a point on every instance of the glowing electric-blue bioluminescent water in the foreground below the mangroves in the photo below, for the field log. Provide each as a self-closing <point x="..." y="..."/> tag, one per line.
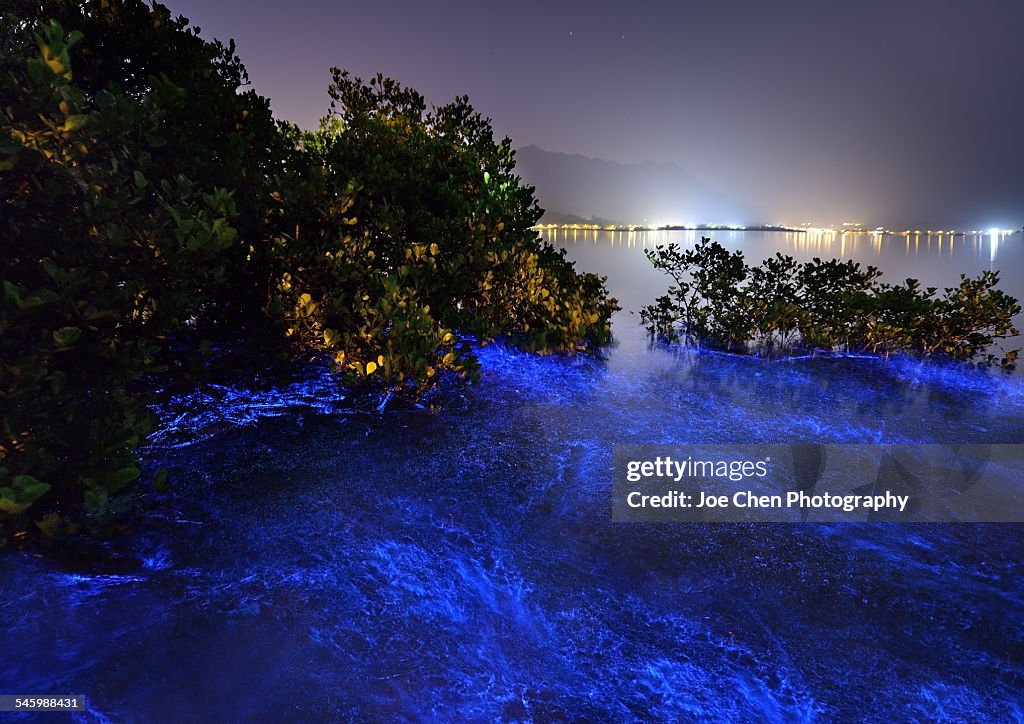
<point x="317" y="564"/>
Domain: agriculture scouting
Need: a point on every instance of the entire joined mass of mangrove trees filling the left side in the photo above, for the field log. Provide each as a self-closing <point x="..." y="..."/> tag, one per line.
<point x="153" y="209"/>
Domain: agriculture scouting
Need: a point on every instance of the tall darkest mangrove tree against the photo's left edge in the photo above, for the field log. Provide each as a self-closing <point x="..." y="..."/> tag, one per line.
<point x="109" y="246"/>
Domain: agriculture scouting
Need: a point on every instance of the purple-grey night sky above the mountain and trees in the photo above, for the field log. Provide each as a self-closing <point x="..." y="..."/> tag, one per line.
<point x="900" y="113"/>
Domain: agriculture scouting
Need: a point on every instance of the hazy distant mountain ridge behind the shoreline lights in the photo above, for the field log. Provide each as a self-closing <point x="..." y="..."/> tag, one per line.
<point x="574" y="186"/>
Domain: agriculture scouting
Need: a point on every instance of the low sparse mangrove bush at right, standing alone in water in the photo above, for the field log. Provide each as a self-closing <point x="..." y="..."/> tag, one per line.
<point x="834" y="306"/>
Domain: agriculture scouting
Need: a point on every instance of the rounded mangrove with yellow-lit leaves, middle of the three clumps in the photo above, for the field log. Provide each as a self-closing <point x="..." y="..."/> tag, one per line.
<point x="402" y="227"/>
